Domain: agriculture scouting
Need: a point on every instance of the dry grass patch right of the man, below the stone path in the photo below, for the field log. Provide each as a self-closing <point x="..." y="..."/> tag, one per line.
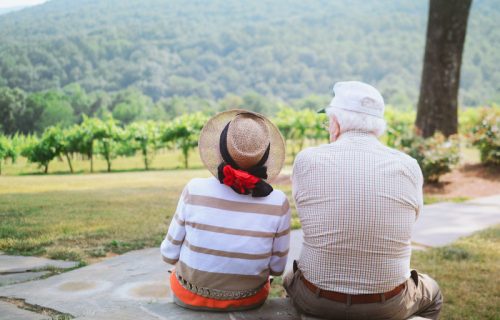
<point x="467" y="272"/>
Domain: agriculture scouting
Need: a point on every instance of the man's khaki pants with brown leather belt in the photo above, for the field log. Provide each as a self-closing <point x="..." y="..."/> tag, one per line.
<point x="420" y="297"/>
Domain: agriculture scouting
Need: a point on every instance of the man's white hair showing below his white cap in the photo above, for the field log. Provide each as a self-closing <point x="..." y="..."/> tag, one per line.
<point x="349" y="121"/>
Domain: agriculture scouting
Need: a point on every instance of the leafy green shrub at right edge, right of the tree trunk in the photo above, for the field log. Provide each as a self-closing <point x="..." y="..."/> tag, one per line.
<point x="485" y="135"/>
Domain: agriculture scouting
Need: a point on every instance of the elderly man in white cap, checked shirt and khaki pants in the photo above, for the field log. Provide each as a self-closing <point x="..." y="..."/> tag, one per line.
<point x="357" y="201"/>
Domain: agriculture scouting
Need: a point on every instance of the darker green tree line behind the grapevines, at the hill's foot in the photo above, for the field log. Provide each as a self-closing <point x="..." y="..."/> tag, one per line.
<point x="23" y="112"/>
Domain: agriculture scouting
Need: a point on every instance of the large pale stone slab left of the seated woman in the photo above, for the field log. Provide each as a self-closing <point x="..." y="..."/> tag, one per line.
<point x="120" y="285"/>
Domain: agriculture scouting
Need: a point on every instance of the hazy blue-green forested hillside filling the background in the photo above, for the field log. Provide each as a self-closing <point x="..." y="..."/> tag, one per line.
<point x="283" y="48"/>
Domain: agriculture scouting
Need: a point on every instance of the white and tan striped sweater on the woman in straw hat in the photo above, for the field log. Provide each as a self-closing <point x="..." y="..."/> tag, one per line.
<point x="222" y="240"/>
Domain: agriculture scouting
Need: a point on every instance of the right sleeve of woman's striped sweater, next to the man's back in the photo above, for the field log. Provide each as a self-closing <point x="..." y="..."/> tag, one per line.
<point x="281" y="243"/>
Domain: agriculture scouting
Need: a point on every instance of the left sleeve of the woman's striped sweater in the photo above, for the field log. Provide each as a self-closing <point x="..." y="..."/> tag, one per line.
<point x="171" y="246"/>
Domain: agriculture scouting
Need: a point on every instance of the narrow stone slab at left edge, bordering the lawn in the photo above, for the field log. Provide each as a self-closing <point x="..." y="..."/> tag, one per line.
<point x="11" y="264"/>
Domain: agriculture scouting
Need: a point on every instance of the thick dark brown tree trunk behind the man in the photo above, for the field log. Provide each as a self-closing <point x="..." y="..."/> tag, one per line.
<point x="438" y="101"/>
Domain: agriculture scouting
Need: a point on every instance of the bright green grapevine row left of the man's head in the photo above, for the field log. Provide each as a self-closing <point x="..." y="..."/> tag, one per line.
<point x="109" y="139"/>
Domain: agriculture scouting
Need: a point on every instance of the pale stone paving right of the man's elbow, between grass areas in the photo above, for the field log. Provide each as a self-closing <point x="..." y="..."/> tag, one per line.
<point x="443" y="223"/>
